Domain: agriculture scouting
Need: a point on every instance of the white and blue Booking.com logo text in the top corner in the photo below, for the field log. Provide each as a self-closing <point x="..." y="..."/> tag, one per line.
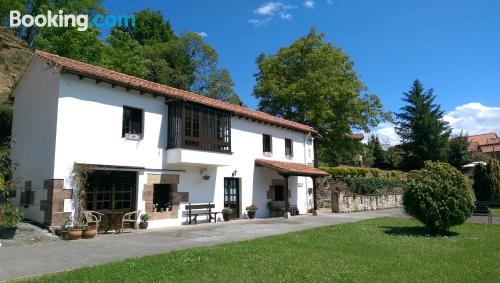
<point x="81" y="22"/>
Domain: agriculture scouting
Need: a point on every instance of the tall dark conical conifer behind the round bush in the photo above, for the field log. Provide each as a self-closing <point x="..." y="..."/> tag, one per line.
<point x="421" y="127"/>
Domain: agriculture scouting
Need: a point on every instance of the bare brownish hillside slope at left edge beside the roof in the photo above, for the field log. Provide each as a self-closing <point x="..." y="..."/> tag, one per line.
<point x="13" y="62"/>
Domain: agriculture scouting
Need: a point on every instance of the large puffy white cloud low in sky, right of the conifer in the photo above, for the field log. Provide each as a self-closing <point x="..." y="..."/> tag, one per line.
<point x="474" y="118"/>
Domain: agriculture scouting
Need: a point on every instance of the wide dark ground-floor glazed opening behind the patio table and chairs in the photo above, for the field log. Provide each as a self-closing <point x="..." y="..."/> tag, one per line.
<point x="110" y="190"/>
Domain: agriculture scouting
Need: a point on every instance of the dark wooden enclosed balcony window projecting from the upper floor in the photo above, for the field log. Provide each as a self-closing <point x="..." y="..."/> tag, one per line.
<point x="198" y="127"/>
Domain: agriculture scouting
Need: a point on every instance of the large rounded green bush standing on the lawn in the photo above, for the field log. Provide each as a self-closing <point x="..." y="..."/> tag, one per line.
<point x="439" y="196"/>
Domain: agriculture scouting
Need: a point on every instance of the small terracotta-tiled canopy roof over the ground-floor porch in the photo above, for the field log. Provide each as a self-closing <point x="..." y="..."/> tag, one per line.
<point x="290" y="168"/>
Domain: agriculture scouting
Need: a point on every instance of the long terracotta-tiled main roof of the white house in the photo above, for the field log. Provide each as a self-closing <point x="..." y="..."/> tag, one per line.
<point x="80" y="68"/>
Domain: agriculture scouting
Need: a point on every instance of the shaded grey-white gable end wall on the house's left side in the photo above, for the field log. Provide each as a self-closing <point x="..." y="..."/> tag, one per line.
<point x="34" y="132"/>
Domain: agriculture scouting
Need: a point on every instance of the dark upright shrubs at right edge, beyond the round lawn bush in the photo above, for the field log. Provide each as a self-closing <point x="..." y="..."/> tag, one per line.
<point x="487" y="180"/>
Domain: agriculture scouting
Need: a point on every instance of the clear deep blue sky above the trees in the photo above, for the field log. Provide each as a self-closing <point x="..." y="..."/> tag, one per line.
<point x="451" y="46"/>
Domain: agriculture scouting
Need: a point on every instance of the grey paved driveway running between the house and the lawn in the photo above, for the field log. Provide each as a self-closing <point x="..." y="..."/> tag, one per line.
<point x="66" y="255"/>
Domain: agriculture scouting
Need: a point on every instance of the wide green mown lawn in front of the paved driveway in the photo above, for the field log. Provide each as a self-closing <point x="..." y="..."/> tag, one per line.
<point x="379" y="250"/>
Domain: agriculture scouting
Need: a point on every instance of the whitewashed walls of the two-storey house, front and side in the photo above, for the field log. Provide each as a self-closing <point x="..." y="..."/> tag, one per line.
<point x="87" y="117"/>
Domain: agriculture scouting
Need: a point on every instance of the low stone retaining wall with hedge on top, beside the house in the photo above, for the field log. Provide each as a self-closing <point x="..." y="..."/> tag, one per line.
<point x="342" y="202"/>
